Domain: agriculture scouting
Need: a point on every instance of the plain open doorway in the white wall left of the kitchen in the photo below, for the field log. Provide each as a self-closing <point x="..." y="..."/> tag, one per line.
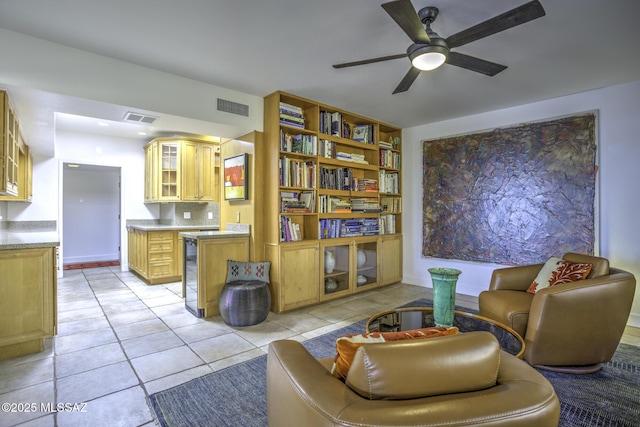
<point x="90" y="215"/>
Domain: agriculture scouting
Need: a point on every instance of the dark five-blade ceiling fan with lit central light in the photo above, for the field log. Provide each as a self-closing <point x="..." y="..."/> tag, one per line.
<point x="429" y="50"/>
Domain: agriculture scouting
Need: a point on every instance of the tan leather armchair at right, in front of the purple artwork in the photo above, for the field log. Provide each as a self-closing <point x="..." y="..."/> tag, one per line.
<point x="573" y="327"/>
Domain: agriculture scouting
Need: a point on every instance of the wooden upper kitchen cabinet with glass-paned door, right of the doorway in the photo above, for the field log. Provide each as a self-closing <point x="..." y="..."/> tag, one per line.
<point x="181" y="170"/>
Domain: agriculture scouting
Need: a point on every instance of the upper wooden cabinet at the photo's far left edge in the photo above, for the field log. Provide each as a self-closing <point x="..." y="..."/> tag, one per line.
<point x="15" y="158"/>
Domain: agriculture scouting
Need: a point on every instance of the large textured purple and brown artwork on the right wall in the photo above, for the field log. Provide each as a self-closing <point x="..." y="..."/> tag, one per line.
<point x="514" y="196"/>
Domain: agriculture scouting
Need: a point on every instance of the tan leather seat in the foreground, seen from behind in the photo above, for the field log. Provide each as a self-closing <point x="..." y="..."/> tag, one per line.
<point x="458" y="380"/>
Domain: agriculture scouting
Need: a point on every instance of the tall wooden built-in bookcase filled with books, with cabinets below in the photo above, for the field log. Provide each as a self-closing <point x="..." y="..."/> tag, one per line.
<point x="332" y="194"/>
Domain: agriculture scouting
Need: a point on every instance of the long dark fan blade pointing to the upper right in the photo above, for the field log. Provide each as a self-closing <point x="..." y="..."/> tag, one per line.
<point x="520" y="15"/>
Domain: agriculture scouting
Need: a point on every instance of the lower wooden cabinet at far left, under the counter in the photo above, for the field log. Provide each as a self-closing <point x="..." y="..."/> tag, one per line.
<point x="28" y="305"/>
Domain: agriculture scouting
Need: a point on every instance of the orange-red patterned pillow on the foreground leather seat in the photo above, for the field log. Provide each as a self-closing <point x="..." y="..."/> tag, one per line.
<point x="347" y="346"/>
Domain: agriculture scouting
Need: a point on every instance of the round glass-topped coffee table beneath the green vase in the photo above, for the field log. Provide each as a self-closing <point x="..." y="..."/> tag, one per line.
<point x="404" y="319"/>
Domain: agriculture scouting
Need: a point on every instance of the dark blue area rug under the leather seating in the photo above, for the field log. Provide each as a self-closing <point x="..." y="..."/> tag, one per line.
<point x="236" y="396"/>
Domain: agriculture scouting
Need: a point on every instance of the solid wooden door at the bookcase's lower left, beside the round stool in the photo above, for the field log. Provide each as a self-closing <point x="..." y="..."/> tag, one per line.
<point x="299" y="275"/>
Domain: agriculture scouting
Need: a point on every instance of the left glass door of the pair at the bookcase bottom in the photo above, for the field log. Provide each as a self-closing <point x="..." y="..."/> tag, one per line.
<point x="336" y="271"/>
